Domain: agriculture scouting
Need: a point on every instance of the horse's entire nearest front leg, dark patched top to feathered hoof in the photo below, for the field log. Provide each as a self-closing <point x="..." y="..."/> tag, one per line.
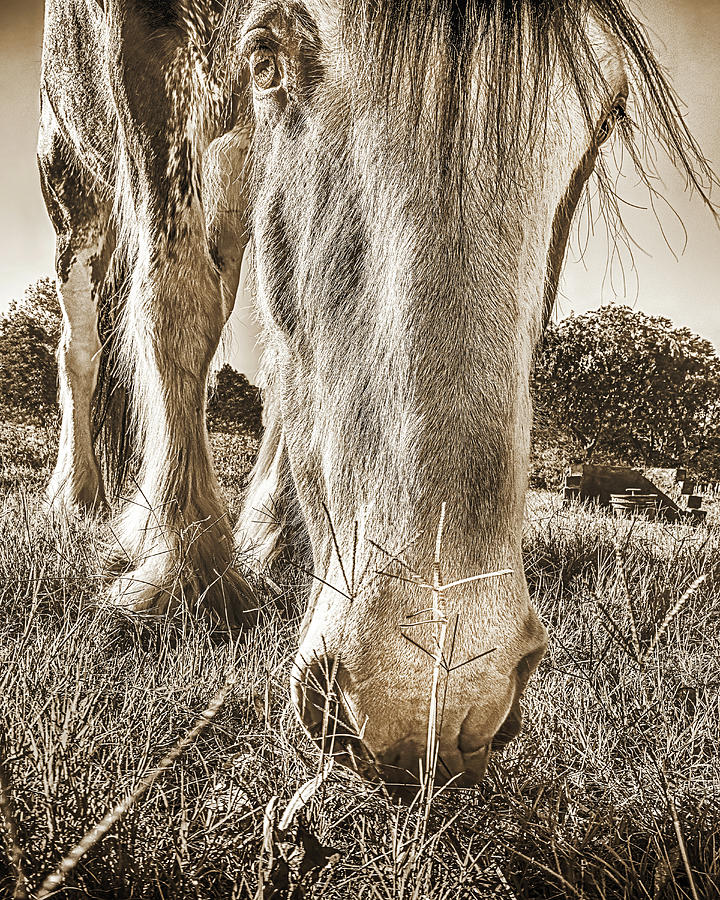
<point x="174" y="533"/>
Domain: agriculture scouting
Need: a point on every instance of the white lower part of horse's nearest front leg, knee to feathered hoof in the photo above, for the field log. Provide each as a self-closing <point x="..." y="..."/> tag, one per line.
<point x="175" y="531"/>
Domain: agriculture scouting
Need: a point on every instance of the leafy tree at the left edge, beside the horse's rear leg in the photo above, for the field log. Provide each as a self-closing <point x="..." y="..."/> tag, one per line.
<point x="29" y="333"/>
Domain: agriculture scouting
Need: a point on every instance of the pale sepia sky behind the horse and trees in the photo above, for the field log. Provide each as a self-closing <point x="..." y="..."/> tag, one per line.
<point x="680" y="281"/>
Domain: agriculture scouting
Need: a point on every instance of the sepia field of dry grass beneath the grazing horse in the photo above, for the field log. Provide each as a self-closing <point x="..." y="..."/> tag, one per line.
<point x="611" y="791"/>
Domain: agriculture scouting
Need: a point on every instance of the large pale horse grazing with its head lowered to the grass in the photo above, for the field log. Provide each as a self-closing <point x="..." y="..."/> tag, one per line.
<point x="402" y="176"/>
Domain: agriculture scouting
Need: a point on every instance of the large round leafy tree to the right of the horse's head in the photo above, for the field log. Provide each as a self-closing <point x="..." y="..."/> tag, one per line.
<point x="630" y="388"/>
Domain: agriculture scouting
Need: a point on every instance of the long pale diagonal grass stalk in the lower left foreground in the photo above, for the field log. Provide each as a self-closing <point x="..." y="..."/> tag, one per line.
<point x="56" y="878"/>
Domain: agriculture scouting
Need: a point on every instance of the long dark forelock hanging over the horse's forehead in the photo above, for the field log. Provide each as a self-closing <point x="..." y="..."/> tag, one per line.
<point x="519" y="46"/>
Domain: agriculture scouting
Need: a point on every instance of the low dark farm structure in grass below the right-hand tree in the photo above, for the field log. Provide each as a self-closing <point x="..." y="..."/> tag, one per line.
<point x="666" y="493"/>
